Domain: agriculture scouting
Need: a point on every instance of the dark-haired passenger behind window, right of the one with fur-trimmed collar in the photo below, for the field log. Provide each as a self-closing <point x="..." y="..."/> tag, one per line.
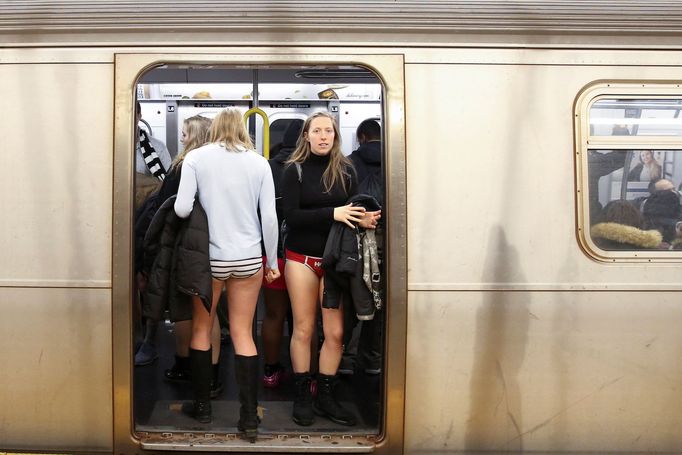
<point x="661" y="211"/>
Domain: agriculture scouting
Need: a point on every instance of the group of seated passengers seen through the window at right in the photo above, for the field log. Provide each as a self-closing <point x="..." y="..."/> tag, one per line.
<point x="653" y="222"/>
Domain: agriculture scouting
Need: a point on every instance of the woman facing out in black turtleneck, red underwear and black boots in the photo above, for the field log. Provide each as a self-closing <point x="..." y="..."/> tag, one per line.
<point x="316" y="185"/>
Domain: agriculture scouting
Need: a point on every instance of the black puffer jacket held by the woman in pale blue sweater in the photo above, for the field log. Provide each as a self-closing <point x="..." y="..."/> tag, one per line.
<point x="177" y="262"/>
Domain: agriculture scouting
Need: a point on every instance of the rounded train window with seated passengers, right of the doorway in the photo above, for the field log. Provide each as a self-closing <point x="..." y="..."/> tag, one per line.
<point x="632" y="173"/>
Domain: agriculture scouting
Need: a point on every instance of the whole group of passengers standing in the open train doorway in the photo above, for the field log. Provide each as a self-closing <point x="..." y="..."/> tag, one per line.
<point x="215" y="227"/>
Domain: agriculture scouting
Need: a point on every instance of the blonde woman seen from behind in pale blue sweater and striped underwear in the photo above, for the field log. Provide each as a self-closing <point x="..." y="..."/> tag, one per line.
<point x="232" y="183"/>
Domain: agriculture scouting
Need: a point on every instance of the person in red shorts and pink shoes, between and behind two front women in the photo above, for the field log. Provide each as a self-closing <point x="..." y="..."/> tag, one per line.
<point x="275" y="294"/>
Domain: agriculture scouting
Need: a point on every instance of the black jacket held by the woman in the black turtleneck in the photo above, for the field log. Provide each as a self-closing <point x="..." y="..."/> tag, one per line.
<point x="343" y="266"/>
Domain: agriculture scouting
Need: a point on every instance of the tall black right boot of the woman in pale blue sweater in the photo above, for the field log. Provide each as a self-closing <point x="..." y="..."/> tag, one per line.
<point x="246" y="371"/>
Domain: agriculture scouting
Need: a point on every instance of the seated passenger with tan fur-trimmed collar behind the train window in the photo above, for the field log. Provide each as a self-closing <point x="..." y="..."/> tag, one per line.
<point x="620" y="228"/>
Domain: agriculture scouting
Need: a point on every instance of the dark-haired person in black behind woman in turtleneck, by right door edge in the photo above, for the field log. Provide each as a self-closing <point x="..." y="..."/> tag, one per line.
<point x="367" y="162"/>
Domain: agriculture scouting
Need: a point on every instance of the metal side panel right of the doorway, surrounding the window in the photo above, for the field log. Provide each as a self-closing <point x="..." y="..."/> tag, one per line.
<point x="540" y="347"/>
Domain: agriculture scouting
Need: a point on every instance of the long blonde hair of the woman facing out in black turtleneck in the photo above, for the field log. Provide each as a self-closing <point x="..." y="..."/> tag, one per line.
<point x="339" y="167"/>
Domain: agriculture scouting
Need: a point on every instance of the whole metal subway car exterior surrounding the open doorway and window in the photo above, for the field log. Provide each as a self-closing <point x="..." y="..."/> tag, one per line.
<point x="504" y="333"/>
